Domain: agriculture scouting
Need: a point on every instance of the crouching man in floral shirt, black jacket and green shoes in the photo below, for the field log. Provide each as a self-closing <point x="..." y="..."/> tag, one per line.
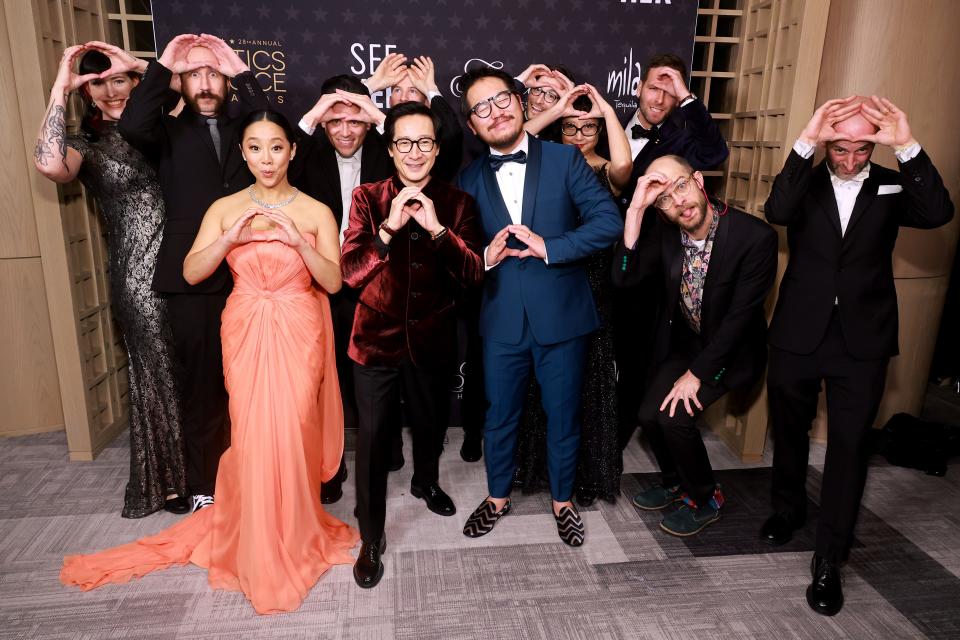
<point x="714" y="273"/>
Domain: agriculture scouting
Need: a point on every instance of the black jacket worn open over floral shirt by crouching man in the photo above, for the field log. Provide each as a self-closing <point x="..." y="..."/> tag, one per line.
<point x="742" y="270"/>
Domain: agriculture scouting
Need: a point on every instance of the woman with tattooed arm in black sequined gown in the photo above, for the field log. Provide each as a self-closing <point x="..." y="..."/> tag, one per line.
<point x="129" y="200"/>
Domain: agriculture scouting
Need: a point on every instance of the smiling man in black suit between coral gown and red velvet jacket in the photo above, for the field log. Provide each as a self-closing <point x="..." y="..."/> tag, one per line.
<point x="341" y="150"/>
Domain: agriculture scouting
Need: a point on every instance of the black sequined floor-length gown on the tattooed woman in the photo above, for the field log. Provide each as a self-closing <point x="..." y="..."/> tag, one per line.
<point x="128" y="197"/>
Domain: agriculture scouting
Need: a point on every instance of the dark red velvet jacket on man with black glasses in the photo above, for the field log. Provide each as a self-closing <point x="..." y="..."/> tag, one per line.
<point x="408" y="288"/>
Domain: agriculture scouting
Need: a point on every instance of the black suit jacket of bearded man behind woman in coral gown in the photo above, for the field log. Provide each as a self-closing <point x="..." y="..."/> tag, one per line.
<point x="190" y="176"/>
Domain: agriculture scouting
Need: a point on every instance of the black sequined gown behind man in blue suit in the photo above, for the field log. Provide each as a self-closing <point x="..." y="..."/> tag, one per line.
<point x="600" y="462"/>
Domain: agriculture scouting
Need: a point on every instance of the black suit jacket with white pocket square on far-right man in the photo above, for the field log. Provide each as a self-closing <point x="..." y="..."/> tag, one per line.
<point x="856" y="267"/>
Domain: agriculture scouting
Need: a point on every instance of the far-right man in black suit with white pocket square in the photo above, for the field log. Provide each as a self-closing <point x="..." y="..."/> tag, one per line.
<point x="836" y="316"/>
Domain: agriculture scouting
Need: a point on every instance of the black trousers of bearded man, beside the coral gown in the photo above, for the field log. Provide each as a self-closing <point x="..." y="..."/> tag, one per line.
<point x="195" y="322"/>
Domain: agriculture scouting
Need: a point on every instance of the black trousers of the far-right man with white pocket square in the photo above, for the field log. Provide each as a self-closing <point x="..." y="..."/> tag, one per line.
<point x="854" y="389"/>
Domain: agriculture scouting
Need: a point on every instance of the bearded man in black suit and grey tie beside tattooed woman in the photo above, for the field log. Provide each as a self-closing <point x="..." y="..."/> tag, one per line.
<point x="198" y="161"/>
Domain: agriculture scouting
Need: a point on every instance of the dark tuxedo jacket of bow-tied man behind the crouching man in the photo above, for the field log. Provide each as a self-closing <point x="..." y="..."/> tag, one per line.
<point x="689" y="132"/>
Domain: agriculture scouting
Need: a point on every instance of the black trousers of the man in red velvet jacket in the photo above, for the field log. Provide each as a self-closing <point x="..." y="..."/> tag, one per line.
<point x="378" y="392"/>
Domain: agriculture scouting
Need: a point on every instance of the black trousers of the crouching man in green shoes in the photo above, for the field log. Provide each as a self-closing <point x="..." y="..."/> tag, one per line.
<point x="676" y="442"/>
